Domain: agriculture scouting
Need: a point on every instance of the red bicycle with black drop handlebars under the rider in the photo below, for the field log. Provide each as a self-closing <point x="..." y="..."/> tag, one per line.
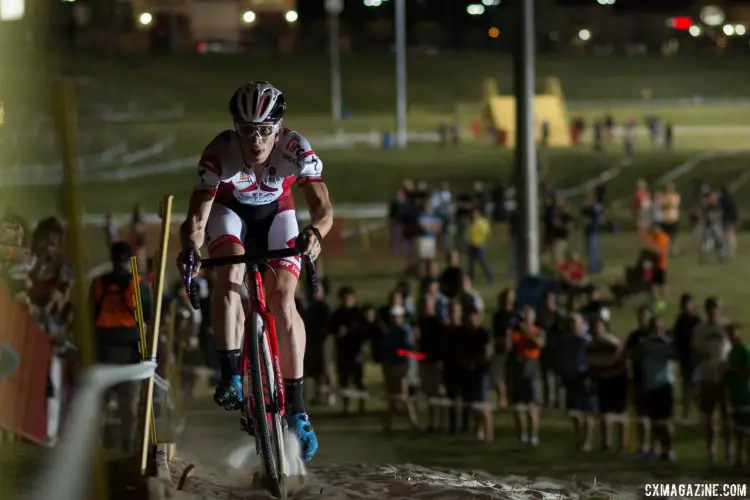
<point x="263" y="407"/>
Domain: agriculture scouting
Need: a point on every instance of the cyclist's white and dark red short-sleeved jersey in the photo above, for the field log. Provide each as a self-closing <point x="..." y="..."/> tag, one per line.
<point x="223" y="170"/>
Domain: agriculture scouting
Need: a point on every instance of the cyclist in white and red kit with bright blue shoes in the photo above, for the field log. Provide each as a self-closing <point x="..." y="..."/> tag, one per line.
<point x="242" y="195"/>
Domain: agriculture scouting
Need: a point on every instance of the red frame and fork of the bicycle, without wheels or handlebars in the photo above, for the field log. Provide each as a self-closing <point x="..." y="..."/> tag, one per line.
<point x="258" y="304"/>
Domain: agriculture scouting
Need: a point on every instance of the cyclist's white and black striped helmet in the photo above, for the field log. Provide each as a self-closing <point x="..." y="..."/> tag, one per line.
<point x="257" y="102"/>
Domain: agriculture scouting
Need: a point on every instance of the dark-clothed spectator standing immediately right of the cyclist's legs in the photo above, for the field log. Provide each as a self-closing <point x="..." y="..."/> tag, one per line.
<point x="317" y="356"/>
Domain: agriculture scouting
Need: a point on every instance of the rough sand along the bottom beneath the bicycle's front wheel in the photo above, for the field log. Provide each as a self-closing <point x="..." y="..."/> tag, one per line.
<point x="360" y="481"/>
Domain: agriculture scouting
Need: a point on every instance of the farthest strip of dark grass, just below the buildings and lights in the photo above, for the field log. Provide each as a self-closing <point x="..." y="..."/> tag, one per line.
<point x="368" y="79"/>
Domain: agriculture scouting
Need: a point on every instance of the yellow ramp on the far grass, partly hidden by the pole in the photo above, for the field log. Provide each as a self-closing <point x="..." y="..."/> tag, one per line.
<point x="500" y="111"/>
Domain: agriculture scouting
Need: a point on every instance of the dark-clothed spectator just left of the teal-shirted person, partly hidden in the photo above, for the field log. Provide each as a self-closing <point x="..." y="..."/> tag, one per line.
<point x="632" y="351"/>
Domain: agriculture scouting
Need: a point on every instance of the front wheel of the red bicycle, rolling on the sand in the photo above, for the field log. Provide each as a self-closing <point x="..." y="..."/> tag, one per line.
<point x="270" y="440"/>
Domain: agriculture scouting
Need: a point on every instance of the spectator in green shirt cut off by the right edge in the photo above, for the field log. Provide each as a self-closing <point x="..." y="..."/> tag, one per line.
<point x="737" y="382"/>
